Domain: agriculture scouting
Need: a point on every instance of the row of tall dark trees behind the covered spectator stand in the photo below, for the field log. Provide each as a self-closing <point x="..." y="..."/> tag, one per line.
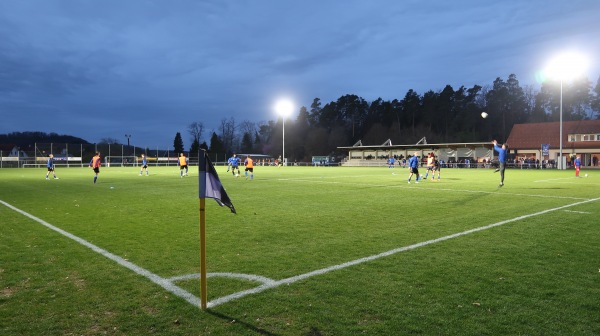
<point x="447" y="115"/>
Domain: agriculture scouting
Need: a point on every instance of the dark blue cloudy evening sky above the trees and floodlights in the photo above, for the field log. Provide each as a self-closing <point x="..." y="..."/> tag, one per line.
<point x="106" y="68"/>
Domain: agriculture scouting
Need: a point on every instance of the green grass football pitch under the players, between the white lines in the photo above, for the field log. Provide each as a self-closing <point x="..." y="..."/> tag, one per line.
<point x="539" y="275"/>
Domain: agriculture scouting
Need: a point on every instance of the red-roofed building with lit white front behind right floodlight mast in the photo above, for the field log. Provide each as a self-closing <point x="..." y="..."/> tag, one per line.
<point x="578" y="138"/>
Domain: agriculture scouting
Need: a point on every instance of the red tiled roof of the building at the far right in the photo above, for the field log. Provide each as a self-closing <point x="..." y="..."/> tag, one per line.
<point x="530" y="136"/>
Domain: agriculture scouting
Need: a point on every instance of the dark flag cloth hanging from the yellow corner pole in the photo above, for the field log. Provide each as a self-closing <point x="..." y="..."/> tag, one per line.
<point x="209" y="184"/>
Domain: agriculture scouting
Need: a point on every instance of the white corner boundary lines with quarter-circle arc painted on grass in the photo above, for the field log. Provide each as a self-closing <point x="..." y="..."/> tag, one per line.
<point x="267" y="283"/>
